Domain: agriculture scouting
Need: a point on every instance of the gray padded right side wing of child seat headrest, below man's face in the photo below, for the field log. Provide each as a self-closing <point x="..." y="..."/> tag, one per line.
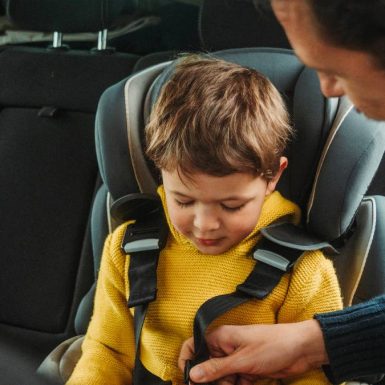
<point x="349" y="166"/>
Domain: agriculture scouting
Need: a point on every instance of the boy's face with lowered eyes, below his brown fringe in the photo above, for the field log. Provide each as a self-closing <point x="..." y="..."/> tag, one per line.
<point x="215" y="213"/>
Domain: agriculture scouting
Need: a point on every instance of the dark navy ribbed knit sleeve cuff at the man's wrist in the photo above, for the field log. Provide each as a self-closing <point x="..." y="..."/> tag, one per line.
<point x="355" y="341"/>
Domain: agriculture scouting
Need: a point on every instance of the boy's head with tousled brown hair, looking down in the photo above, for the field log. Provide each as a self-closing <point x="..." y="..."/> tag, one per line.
<point x="217" y="133"/>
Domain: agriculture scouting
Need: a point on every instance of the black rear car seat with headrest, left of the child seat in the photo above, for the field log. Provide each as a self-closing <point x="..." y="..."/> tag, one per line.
<point x="49" y="174"/>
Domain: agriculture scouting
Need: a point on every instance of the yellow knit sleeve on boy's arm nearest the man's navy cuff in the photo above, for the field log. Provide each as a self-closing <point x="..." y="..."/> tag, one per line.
<point x="313" y="288"/>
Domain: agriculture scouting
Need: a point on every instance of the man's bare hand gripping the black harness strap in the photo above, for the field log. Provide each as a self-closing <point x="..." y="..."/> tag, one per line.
<point x="242" y="354"/>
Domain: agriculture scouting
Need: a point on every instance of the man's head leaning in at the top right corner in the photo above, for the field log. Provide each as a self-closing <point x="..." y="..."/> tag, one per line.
<point x="344" y="40"/>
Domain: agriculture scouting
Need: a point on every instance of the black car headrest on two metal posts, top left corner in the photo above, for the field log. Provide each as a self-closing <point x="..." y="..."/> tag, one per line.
<point x="63" y="16"/>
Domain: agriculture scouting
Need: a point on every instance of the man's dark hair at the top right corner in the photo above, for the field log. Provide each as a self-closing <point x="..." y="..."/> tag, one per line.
<point x="353" y="24"/>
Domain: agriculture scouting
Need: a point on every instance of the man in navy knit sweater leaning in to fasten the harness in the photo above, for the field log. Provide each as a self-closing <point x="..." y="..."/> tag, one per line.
<point x="344" y="40"/>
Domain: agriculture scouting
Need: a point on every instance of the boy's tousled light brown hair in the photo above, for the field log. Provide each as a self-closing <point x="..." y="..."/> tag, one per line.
<point x="218" y="118"/>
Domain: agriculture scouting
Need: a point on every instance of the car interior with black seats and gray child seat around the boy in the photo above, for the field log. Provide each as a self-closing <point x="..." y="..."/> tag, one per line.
<point x="77" y="83"/>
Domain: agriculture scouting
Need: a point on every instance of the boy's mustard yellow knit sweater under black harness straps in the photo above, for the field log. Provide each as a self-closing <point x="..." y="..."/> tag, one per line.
<point x="186" y="279"/>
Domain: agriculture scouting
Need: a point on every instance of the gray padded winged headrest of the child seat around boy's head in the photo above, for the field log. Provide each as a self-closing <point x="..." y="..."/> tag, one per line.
<point x="349" y="162"/>
